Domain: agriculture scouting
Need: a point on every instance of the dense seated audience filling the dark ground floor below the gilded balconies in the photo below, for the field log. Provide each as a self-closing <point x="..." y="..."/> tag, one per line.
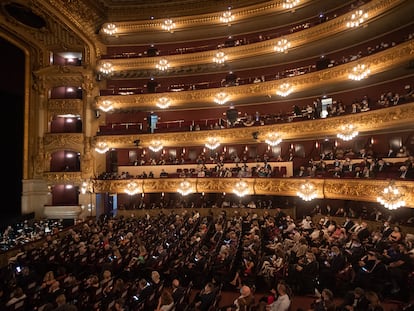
<point x="132" y="262"/>
